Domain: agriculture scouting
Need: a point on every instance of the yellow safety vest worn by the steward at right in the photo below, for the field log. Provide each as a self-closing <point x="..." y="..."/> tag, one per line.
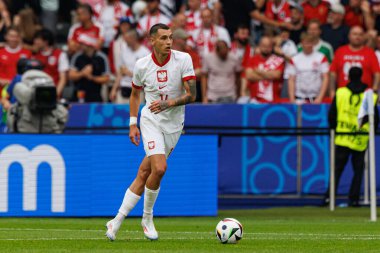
<point x="348" y="106"/>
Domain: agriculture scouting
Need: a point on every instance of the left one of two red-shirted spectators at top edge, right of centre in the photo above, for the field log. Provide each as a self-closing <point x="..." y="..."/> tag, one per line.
<point x="278" y="10"/>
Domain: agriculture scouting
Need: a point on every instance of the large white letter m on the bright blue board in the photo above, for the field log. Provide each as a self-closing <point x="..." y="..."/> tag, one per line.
<point x="30" y="161"/>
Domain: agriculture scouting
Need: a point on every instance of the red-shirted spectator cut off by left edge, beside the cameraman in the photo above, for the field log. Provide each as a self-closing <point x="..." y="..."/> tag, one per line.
<point x="10" y="54"/>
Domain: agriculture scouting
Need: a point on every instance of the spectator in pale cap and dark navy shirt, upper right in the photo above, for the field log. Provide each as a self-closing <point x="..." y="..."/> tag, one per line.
<point x="335" y="32"/>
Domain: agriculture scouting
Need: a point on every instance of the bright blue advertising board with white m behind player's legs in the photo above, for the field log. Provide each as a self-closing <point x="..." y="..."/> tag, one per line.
<point x="87" y="175"/>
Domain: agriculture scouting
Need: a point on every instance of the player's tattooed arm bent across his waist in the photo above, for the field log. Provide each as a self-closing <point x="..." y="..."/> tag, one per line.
<point x="189" y="97"/>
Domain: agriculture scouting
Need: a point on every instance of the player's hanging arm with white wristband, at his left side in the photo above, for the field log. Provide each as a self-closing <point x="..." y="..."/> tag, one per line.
<point x="134" y="103"/>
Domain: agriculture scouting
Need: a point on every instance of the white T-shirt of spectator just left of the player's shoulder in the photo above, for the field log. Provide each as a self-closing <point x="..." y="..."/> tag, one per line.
<point x="128" y="59"/>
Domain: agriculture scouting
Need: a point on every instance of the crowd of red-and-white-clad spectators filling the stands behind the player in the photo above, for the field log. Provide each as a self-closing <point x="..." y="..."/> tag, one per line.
<point x="244" y="51"/>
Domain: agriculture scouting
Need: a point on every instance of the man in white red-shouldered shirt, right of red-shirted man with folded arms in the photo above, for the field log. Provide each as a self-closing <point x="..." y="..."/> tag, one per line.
<point x="308" y="74"/>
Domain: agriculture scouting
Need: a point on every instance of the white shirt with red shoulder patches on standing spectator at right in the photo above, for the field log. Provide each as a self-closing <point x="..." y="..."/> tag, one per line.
<point x="308" y="70"/>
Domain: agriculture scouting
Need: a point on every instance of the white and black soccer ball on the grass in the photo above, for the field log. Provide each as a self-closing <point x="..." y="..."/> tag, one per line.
<point x="229" y="230"/>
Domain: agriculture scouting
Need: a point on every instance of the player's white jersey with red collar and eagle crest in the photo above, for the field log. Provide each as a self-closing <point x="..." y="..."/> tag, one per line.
<point x="163" y="82"/>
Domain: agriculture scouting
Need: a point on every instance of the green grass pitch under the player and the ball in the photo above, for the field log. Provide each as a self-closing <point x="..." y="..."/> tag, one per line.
<point x="267" y="230"/>
